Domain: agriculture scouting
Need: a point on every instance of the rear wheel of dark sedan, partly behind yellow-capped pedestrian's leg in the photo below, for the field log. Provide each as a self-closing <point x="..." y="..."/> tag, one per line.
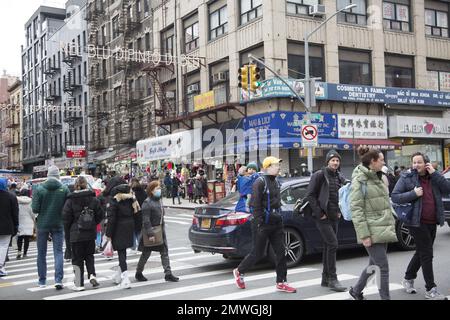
<point x="294" y="248"/>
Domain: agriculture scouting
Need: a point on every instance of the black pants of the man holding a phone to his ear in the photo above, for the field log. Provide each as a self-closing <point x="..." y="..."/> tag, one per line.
<point x="423" y="257"/>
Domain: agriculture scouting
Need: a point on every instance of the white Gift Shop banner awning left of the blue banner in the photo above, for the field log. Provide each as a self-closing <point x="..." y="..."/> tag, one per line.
<point x="171" y="146"/>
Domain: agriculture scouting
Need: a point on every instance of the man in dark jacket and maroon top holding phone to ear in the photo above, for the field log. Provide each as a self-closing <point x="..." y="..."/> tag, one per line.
<point x="423" y="186"/>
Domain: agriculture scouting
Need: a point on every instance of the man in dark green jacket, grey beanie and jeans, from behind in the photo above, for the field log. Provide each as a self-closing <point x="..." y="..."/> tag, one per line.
<point x="48" y="203"/>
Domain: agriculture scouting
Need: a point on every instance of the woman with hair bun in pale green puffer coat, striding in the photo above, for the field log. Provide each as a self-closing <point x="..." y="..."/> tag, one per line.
<point x="373" y="219"/>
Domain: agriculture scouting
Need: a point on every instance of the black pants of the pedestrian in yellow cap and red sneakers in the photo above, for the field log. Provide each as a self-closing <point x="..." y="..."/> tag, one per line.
<point x="275" y="235"/>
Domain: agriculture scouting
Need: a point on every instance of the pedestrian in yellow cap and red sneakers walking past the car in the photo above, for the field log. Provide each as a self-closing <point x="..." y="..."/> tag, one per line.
<point x="265" y="204"/>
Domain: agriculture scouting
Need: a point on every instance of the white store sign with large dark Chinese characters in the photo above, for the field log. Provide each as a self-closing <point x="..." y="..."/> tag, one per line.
<point x="362" y="127"/>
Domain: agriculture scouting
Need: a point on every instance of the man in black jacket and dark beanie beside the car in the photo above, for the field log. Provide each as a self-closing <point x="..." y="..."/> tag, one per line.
<point x="323" y="196"/>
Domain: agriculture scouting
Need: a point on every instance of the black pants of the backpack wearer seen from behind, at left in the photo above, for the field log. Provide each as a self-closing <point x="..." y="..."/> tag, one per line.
<point x="83" y="252"/>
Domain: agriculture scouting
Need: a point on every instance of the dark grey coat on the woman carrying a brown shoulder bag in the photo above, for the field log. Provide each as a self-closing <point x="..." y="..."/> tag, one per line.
<point x="152" y="213"/>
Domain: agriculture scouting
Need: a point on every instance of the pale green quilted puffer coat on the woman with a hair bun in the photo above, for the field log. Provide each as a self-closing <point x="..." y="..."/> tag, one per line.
<point x="372" y="213"/>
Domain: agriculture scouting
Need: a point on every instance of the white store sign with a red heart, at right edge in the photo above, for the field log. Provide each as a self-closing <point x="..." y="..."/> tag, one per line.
<point x="422" y="127"/>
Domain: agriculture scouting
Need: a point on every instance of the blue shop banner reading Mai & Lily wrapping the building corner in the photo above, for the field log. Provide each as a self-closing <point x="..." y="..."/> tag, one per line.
<point x="290" y="123"/>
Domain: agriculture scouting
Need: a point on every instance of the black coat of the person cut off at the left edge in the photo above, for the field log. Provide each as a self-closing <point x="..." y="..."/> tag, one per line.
<point x="9" y="214"/>
